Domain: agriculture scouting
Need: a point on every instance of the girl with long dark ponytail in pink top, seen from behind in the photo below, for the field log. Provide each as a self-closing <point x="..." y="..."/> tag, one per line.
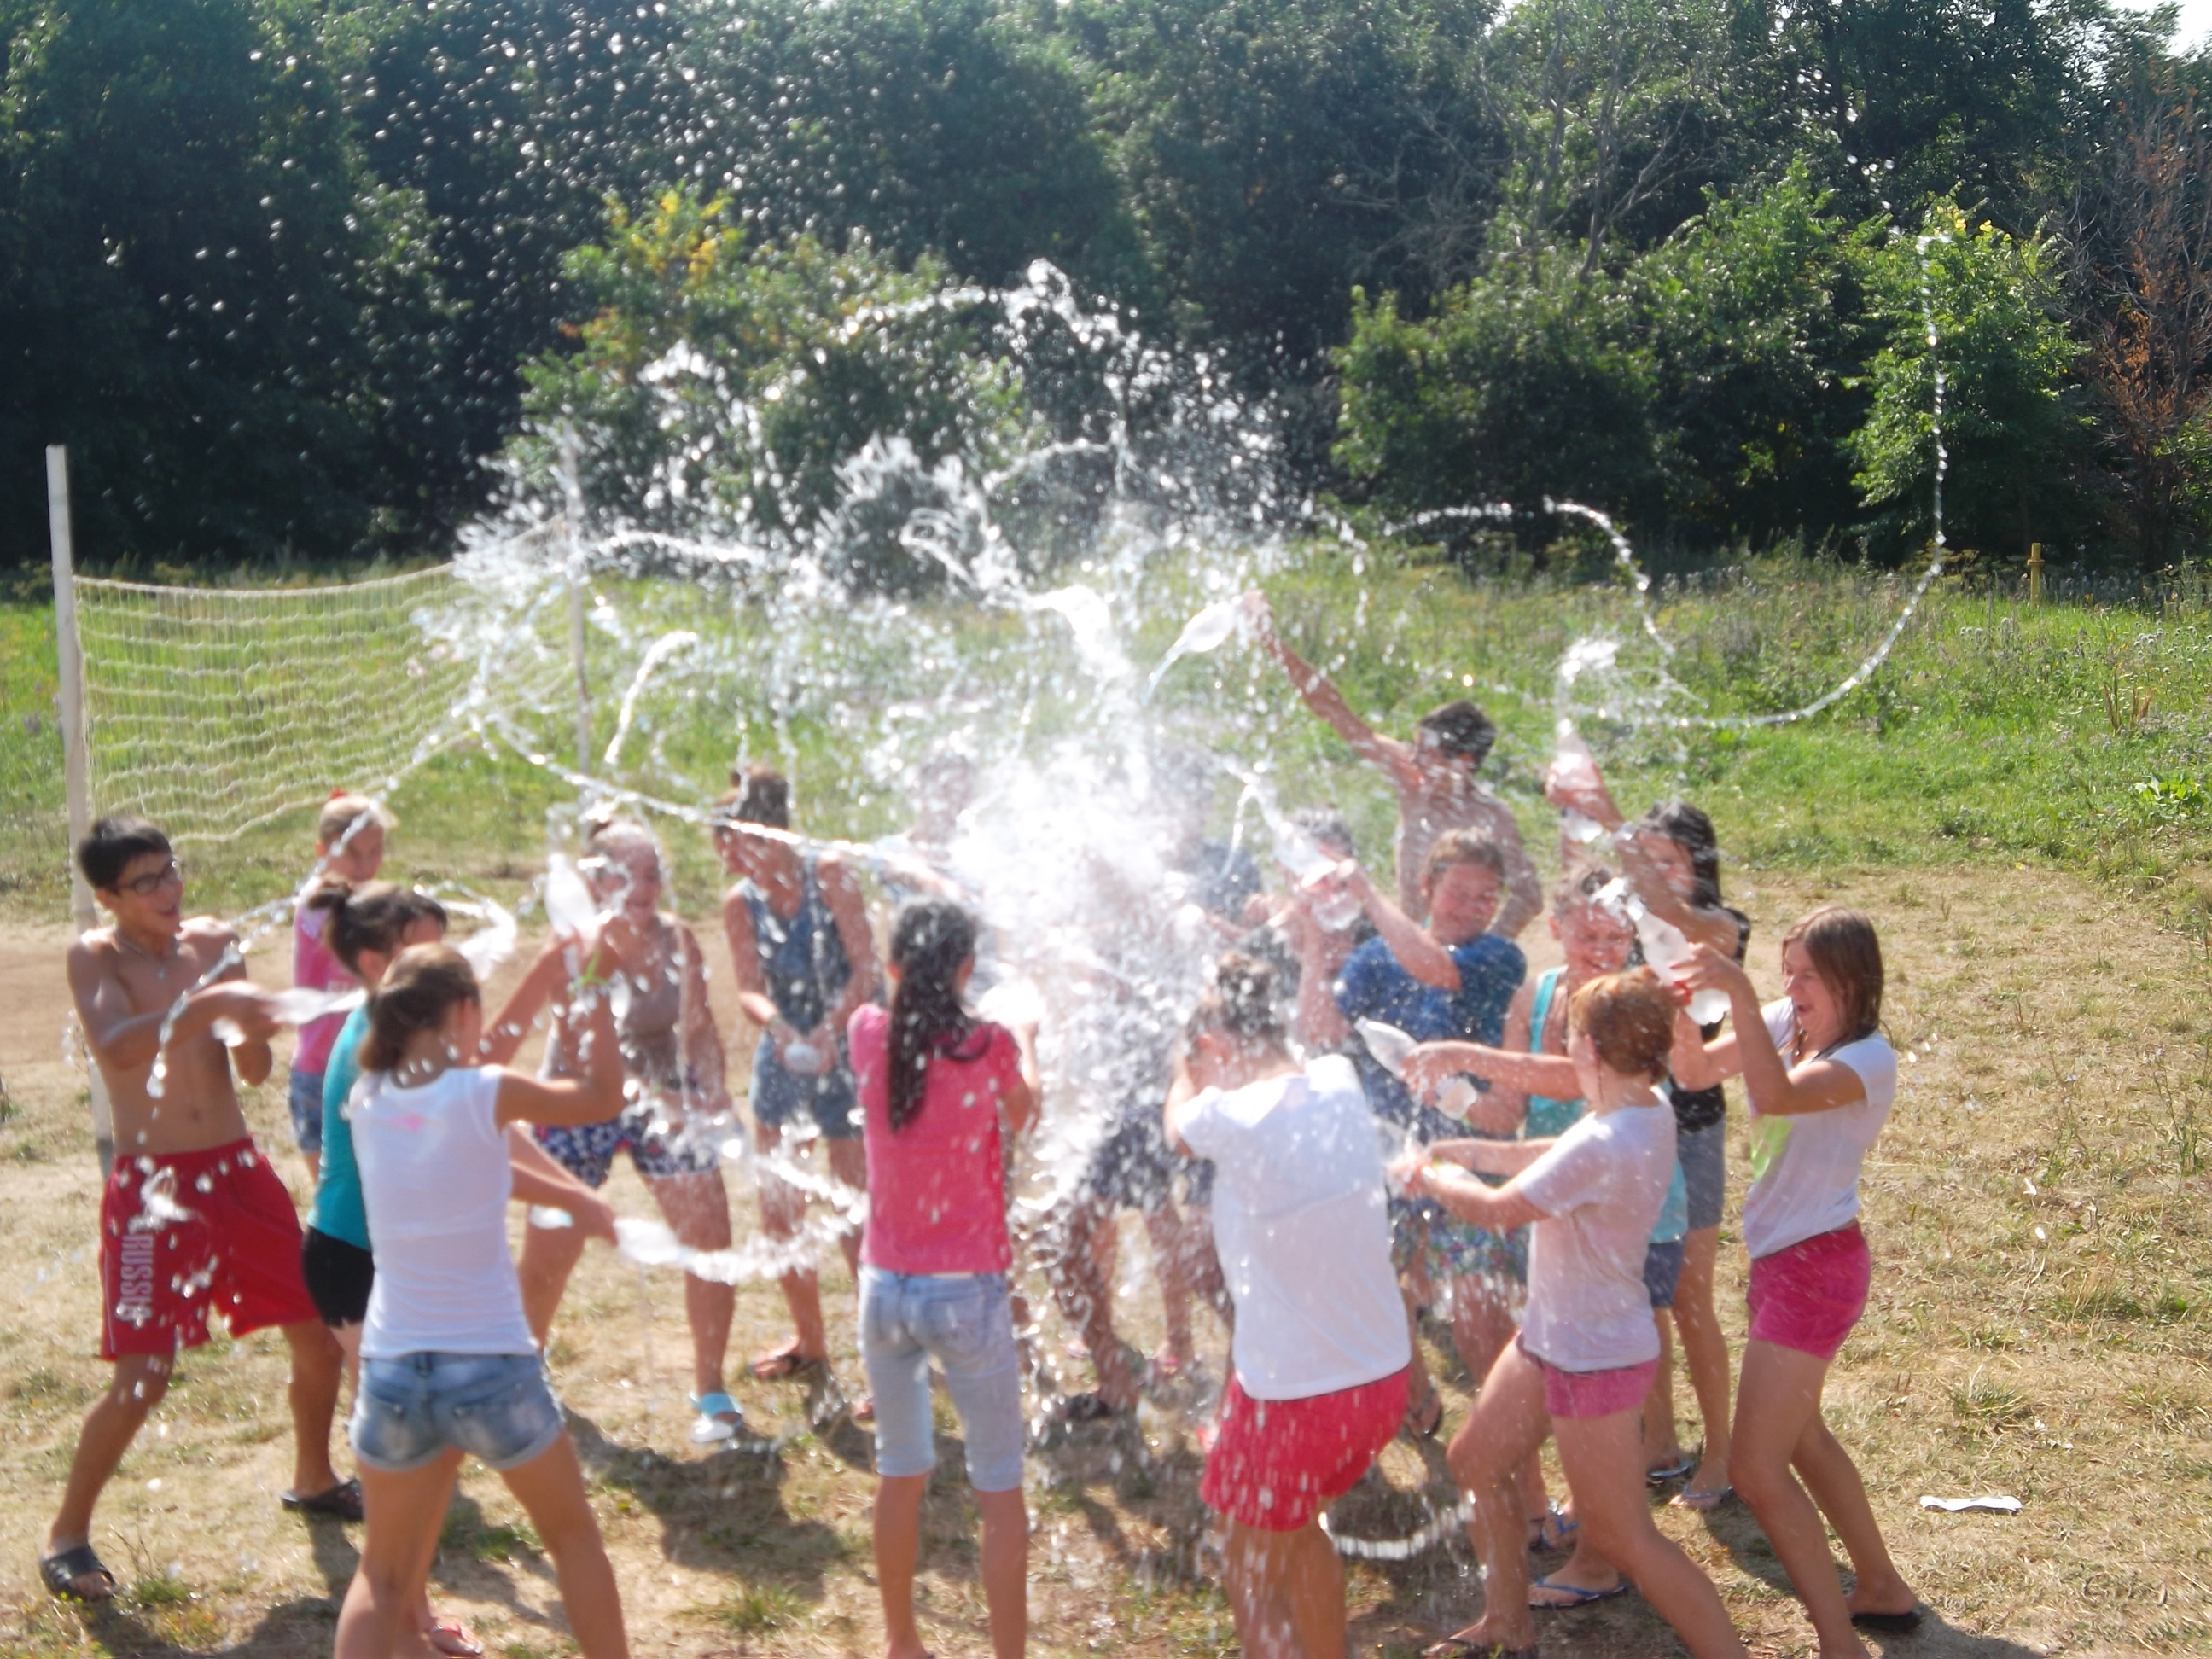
<point x="939" y="1089"/>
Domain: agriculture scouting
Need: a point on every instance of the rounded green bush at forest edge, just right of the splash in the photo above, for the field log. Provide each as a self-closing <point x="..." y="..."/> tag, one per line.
<point x="1514" y="390"/>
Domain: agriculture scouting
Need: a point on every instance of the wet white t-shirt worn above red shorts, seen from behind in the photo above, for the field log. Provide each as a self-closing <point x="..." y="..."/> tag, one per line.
<point x="1302" y="1231"/>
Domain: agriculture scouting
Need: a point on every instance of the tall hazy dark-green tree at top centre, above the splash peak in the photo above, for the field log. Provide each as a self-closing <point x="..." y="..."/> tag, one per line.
<point x="1277" y="152"/>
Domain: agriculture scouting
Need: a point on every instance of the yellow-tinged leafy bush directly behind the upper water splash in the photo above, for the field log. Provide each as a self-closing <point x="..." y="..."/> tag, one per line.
<point x="733" y="388"/>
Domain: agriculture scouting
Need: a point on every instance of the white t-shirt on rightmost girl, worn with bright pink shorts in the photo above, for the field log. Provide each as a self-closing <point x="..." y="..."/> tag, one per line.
<point x="1806" y="1169"/>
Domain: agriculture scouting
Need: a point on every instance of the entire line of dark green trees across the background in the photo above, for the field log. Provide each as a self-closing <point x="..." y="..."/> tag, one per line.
<point x="300" y="282"/>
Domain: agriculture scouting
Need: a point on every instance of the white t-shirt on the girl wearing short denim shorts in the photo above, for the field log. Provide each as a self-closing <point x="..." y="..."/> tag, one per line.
<point x="437" y="1185"/>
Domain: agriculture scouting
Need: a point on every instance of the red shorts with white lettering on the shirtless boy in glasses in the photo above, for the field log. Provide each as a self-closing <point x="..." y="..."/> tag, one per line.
<point x="194" y="1233"/>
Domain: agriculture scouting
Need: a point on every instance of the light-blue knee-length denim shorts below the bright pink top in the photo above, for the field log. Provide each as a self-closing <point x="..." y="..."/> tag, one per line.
<point x="966" y="1324"/>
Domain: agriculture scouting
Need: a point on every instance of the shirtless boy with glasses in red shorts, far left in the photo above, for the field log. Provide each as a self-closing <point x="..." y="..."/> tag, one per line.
<point x="194" y="1218"/>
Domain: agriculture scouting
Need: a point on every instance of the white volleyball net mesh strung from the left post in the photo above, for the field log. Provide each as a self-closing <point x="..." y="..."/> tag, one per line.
<point x="218" y="709"/>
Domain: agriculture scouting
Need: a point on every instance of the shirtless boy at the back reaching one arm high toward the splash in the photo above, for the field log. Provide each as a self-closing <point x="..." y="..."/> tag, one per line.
<point x="1434" y="778"/>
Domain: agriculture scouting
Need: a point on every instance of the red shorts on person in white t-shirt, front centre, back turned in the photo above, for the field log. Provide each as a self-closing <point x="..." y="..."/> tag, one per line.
<point x="1280" y="1463"/>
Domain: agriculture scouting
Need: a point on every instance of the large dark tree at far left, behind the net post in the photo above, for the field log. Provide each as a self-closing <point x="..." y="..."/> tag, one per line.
<point x="185" y="286"/>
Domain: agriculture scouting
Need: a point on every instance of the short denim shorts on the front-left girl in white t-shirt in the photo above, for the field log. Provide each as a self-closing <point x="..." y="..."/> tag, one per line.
<point x="497" y="1408"/>
